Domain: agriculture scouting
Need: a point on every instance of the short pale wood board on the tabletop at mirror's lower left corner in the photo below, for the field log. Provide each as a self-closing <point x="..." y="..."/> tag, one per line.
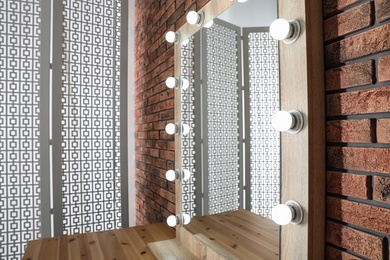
<point x="170" y="249"/>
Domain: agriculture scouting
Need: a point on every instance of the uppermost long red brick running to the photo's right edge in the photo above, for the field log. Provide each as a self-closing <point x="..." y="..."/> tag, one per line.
<point x="363" y="44"/>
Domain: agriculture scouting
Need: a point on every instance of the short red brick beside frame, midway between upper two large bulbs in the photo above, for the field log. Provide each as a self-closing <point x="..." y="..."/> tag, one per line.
<point x="358" y="74"/>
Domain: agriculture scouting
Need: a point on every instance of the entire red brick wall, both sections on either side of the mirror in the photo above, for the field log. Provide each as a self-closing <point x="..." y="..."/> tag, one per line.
<point x="357" y="62"/>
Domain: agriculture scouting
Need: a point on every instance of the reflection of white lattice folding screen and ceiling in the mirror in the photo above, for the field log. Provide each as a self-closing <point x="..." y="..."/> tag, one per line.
<point x="232" y="150"/>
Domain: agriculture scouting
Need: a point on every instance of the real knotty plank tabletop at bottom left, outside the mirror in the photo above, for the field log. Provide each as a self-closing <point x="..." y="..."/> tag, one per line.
<point x="124" y="243"/>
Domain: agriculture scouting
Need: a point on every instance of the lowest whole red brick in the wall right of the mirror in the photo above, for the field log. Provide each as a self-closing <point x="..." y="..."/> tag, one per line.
<point x="357" y="241"/>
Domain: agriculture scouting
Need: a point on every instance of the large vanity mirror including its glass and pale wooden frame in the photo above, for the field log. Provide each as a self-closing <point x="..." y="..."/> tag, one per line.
<point x="238" y="78"/>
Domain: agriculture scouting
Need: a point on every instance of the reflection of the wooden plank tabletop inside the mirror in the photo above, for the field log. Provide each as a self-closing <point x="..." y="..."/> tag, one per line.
<point x="242" y="234"/>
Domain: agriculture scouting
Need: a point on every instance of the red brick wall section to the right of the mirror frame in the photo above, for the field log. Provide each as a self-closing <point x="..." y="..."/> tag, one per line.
<point x="357" y="62"/>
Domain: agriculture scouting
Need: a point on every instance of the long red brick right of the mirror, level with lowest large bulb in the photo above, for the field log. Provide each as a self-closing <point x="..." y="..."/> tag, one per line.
<point x="359" y="214"/>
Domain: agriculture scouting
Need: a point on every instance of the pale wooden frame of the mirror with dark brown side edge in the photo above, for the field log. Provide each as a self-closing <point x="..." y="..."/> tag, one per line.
<point x="302" y="154"/>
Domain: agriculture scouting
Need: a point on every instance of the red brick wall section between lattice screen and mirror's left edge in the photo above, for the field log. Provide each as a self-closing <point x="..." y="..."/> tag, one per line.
<point x="154" y="155"/>
